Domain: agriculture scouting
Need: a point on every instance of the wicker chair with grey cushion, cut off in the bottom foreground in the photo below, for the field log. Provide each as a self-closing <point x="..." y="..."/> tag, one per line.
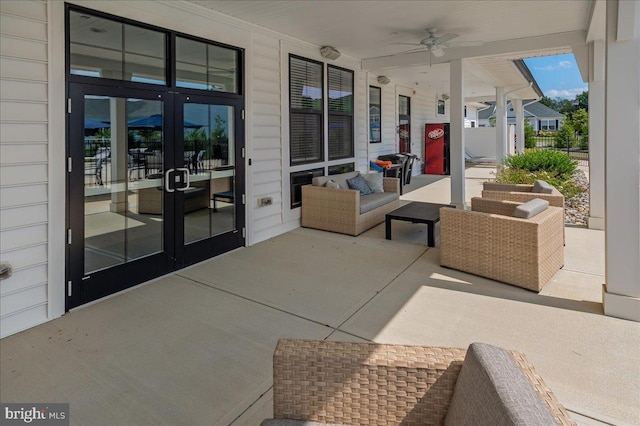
<point x="323" y="382"/>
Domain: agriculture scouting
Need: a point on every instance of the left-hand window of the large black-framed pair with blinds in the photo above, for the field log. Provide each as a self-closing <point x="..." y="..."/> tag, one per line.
<point x="306" y="103"/>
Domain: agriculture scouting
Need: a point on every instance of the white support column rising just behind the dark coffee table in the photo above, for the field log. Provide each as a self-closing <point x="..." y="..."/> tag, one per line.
<point x="456" y="132"/>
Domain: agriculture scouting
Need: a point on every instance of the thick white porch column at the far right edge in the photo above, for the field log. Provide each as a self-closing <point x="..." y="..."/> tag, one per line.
<point x="621" y="291"/>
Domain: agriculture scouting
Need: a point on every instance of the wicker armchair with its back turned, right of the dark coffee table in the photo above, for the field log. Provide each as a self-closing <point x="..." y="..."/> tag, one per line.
<point x="489" y="242"/>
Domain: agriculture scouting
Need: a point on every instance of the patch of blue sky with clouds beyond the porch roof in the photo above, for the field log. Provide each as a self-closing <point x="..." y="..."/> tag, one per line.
<point x="558" y="76"/>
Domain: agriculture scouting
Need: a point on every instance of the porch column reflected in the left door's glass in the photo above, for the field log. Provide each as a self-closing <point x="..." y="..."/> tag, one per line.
<point x="119" y="154"/>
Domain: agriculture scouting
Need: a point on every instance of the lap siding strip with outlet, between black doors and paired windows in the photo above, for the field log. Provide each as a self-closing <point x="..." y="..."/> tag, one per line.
<point x="266" y="135"/>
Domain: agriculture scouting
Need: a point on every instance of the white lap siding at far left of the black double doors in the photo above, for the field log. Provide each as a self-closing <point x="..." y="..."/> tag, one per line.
<point x="23" y="163"/>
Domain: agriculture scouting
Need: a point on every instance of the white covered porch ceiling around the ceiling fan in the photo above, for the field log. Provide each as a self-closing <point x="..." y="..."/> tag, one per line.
<point x="369" y="31"/>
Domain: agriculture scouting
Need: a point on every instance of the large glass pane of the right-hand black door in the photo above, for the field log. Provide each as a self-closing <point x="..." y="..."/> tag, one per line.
<point x="209" y="144"/>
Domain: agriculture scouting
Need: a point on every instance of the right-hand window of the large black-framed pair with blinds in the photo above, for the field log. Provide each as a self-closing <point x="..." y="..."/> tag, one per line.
<point x="340" y="82"/>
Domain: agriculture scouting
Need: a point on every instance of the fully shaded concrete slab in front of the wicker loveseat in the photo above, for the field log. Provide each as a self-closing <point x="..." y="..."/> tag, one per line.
<point x="317" y="275"/>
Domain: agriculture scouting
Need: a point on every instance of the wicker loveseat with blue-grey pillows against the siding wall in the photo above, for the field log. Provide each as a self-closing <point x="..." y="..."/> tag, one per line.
<point x="346" y="211"/>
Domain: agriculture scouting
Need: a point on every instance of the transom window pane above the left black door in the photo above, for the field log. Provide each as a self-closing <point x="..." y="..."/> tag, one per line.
<point x="106" y="48"/>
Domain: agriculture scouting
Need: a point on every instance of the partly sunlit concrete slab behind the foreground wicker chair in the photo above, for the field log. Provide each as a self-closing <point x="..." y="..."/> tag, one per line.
<point x="585" y="357"/>
